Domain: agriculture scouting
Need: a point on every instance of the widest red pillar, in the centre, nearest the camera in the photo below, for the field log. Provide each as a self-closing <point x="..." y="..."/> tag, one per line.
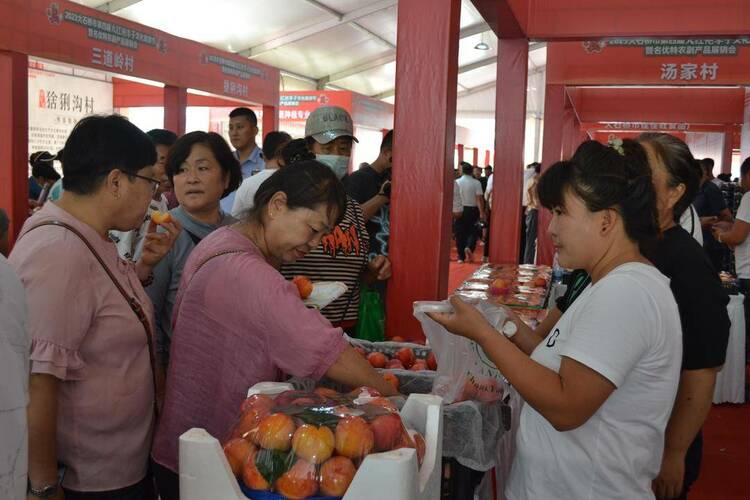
<point x="426" y="79"/>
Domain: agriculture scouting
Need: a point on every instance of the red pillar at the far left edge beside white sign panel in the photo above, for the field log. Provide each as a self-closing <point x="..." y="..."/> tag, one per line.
<point x="14" y="140"/>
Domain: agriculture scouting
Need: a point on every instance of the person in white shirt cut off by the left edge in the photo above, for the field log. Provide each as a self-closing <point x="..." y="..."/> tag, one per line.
<point x="14" y="390"/>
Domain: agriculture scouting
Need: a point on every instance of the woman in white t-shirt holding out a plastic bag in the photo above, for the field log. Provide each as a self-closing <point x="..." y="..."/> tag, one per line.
<point x="600" y="387"/>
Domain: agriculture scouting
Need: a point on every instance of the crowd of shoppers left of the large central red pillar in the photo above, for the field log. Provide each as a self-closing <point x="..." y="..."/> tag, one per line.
<point x="138" y="316"/>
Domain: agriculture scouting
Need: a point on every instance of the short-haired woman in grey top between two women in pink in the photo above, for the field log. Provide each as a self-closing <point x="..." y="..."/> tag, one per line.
<point x="203" y="170"/>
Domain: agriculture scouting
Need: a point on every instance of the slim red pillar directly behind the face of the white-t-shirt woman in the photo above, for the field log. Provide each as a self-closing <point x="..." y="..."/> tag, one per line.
<point x="554" y="110"/>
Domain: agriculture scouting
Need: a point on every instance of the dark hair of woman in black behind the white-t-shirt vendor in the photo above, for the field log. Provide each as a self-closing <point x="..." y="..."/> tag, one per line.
<point x="681" y="167"/>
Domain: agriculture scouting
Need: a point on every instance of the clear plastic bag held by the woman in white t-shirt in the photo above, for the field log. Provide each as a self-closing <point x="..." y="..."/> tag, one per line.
<point x="464" y="371"/>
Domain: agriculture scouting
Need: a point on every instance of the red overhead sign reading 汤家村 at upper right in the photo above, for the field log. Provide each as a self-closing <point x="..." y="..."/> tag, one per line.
<point x="650" y="61"/>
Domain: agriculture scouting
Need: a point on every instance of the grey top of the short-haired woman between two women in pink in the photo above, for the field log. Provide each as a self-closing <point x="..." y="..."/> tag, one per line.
<point x="168" y="273"/>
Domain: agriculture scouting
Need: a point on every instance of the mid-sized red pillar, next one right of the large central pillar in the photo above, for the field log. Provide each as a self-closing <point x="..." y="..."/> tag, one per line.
<point x="510" y="130"/>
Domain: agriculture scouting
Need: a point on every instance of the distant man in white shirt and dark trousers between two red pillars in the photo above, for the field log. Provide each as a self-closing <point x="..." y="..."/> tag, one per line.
<point x="472" y="203"/>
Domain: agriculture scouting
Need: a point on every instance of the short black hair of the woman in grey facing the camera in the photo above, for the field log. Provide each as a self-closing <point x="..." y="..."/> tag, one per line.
<point x="181" y="149"/>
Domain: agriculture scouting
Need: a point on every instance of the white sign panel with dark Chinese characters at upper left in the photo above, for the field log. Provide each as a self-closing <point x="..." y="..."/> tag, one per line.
<point x="57" y="102"/>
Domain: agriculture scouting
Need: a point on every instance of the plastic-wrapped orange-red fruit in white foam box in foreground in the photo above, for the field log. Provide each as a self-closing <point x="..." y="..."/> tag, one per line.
<point x="301" y="444"/>
